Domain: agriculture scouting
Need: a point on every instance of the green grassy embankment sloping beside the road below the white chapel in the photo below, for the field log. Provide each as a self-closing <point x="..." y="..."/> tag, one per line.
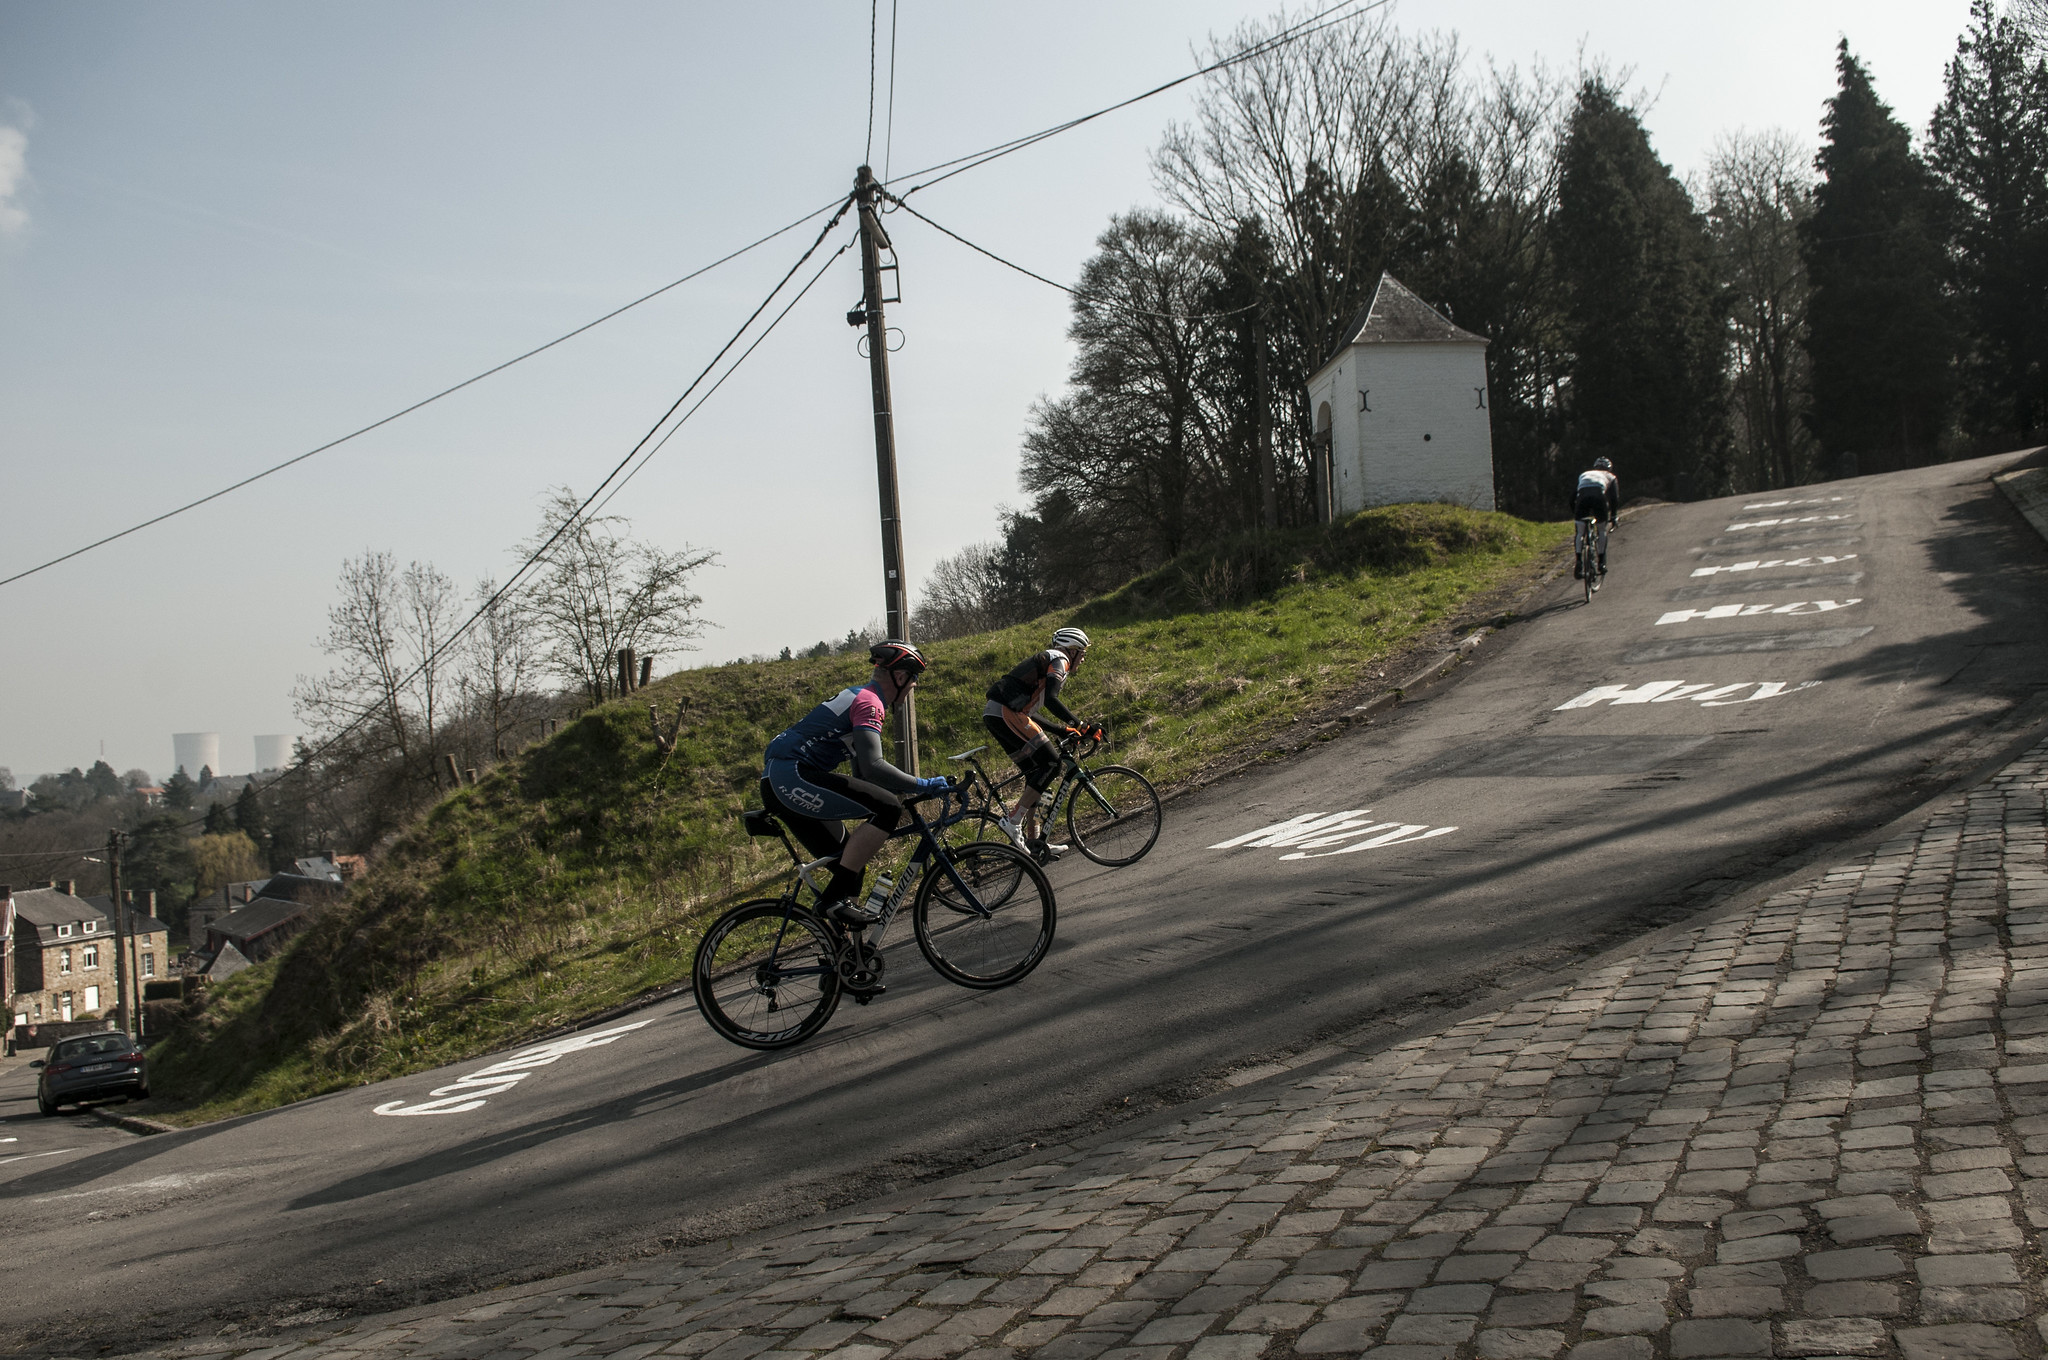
<point x="577" y="876"/>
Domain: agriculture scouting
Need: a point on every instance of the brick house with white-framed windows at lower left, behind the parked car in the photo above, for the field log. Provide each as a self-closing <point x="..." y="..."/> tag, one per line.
<point x="62" y="955"/>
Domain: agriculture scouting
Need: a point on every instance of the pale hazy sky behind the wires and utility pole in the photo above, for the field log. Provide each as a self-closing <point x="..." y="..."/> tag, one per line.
<point x="232" y="232"/>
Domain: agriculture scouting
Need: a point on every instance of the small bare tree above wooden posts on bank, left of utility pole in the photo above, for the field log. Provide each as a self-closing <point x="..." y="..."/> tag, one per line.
<point x="601" y="591"/>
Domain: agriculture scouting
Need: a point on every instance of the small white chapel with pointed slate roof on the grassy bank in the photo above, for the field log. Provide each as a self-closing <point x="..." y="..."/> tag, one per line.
<point x="1402" y="409"/>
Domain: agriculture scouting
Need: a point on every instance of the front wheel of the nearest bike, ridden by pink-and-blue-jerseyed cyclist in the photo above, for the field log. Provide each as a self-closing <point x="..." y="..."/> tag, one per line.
<point x="992" y="933"/>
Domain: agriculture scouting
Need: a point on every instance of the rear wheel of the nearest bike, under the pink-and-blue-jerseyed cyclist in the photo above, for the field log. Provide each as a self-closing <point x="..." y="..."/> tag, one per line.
<point x="765" y="976"/>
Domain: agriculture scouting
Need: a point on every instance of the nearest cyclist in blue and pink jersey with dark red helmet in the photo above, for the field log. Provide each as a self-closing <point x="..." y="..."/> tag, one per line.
<point x="802" y="781"/>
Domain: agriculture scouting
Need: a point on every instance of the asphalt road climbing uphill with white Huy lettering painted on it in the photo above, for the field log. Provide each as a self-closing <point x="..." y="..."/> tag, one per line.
<point x="1601" y="771"/>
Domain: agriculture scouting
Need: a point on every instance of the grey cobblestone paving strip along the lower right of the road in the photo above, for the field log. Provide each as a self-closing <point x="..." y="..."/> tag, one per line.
<point x="1811" y="1130"/>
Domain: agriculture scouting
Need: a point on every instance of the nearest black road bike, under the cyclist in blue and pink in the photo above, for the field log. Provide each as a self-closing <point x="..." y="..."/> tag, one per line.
<point x="769" y="974"/>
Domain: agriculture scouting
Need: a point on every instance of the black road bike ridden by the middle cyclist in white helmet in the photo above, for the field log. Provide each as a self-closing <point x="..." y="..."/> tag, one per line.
<point x="1113" y="812"/>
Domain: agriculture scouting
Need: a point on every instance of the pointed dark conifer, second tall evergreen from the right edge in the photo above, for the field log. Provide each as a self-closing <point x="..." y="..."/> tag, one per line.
<point x="1879" y="325"/>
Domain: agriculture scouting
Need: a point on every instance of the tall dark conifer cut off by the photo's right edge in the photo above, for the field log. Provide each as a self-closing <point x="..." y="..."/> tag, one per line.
<point x="1990" y="148"/>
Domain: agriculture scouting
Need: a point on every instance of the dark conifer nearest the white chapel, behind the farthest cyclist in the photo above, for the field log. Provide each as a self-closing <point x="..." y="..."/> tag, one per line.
<point x="1644" y="306"/>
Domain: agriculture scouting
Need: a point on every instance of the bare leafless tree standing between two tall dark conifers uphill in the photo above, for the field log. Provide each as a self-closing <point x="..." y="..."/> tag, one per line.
<point x="1760" y="192"/>
